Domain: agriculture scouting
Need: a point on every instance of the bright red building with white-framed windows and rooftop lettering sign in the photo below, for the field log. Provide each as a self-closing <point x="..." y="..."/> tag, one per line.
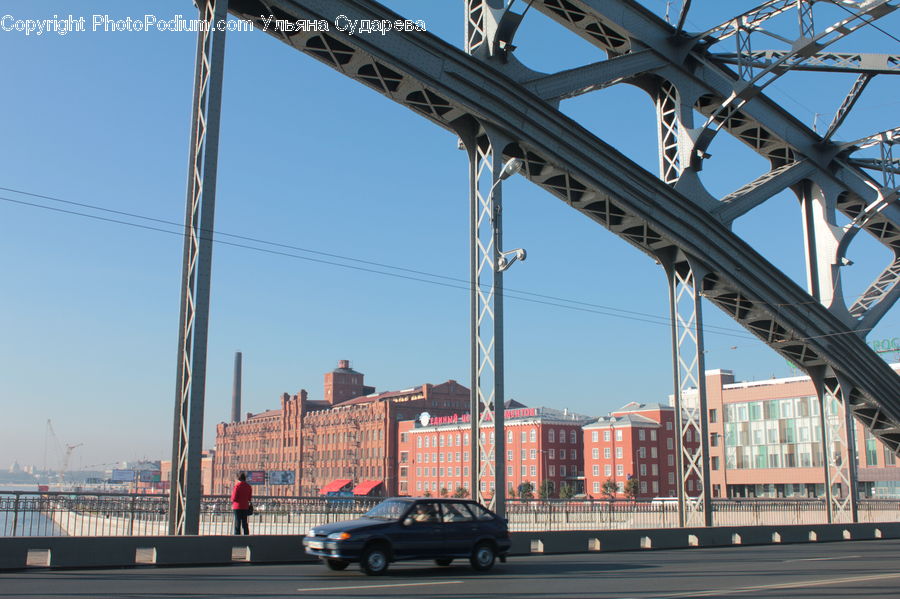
<point x="542" y="444"/>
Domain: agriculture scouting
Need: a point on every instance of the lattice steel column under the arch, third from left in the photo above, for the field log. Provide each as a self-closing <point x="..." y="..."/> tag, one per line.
<point x="691" y="415"/>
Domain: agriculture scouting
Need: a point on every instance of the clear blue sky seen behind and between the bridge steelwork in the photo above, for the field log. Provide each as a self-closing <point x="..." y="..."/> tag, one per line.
<point x="312" y="159"/>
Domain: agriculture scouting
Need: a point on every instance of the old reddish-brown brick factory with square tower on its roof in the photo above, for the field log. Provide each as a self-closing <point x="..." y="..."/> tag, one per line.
<point x="346" y="442"/>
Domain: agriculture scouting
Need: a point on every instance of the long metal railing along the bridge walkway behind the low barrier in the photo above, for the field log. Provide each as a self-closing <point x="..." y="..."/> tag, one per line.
<point x="117" y="514"/>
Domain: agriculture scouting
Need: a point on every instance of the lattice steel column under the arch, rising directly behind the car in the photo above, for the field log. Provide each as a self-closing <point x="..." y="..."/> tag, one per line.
<point x="486" y="171"/>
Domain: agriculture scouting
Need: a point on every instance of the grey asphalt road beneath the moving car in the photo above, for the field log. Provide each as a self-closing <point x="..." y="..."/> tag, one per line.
<point x="858" y="569"/>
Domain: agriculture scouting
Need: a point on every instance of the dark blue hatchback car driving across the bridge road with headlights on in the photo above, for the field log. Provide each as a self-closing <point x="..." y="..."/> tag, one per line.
<point x="406" y="528"/>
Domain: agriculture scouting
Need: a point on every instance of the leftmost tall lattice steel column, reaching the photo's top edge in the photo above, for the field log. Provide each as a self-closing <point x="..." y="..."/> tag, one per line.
<point x="187" y="439"/>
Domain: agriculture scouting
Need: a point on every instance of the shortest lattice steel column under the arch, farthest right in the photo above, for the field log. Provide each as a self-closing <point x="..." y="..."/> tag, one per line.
<point x="838" y="447"/>
